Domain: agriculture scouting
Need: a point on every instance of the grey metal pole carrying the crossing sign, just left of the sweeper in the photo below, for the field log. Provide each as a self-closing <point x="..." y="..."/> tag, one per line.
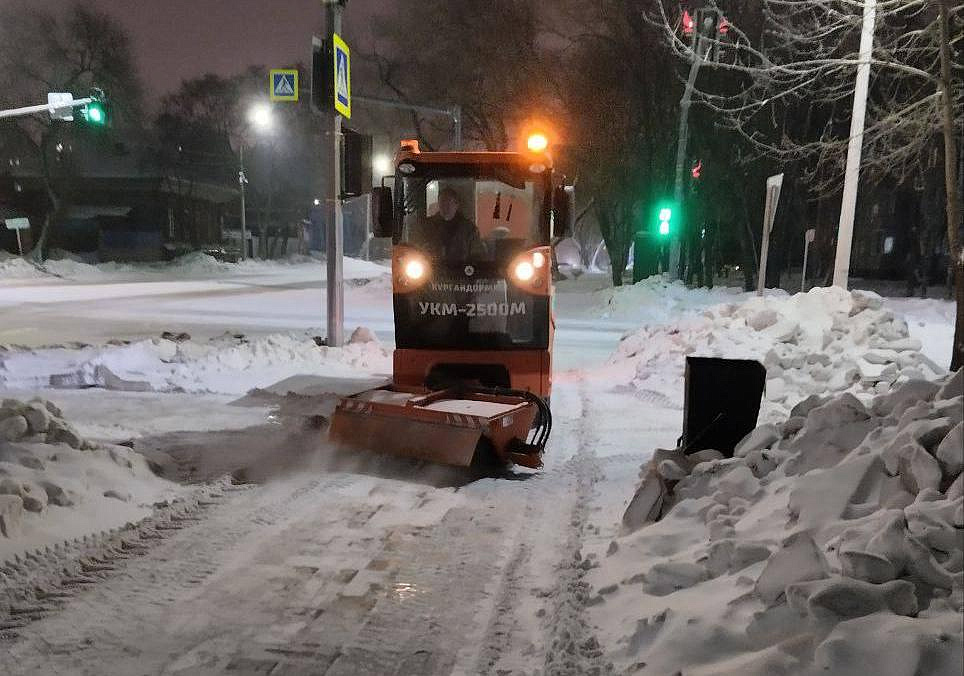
<point x="334" y="239"/>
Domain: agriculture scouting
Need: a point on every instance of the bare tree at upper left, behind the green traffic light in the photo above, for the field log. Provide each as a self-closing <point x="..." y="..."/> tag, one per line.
<point x="41" y="52"/>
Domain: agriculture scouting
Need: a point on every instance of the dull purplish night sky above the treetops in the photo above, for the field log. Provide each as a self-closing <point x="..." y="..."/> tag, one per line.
<point x="178" y="39"/>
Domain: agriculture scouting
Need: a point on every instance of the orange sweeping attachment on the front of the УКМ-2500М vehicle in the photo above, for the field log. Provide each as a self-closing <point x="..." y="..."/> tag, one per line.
<point x="442" y="427"/>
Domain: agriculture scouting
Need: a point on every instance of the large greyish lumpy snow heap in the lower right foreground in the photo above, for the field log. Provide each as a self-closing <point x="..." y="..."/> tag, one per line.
<point x="833" y="543"/>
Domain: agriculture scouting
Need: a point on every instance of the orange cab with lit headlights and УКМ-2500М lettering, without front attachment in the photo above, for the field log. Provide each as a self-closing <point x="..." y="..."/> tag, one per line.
<point x="472" y="266"/>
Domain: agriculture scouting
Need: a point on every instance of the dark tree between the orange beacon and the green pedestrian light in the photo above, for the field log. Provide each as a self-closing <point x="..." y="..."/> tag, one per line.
<point x="619" y="91"/>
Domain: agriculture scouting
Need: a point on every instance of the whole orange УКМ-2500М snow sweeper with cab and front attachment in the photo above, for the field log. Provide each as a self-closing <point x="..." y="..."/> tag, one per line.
<point x="472" y="290"/>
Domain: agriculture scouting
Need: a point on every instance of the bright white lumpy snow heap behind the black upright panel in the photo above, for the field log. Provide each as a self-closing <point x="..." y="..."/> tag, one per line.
<point x="825" y="341"/>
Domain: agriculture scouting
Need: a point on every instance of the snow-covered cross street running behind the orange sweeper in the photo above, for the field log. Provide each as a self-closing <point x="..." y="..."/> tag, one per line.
<point x="282" y="298"/>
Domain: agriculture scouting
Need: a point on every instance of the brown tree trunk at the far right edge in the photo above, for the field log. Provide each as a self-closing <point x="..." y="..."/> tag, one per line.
<point x="950" y="183"/>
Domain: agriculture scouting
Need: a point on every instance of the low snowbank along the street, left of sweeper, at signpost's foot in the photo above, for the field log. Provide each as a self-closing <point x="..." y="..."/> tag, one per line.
<point x="229" y="364"/>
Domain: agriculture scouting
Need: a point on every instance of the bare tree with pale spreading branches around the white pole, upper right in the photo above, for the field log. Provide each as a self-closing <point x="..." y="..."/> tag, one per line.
<point x="790" y="86"/>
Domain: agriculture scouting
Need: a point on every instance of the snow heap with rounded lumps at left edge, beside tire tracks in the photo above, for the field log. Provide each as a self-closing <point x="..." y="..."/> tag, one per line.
<point x="56" y="485"/>
